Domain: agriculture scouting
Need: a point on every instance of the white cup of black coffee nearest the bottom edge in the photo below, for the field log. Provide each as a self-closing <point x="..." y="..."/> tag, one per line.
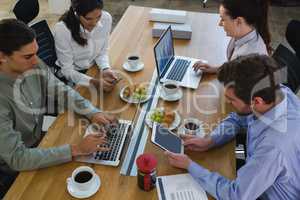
<point x="83" y="178"/>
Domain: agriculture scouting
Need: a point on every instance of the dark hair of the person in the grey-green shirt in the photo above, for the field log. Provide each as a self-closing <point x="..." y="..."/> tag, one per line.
<point x="14" y="34"/>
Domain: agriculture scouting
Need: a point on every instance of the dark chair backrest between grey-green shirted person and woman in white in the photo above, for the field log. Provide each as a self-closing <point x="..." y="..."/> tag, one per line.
<point x="46" y="44"/>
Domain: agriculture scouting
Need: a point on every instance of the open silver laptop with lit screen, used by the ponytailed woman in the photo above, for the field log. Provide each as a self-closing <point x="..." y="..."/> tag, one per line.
<point x="171" y="67"/>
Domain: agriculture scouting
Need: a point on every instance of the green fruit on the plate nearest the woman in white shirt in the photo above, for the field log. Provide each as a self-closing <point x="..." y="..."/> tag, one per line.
<point x="138" y="91"/>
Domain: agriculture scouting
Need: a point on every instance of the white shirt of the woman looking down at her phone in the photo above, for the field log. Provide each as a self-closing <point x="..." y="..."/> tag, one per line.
<point x="72" y="57"/>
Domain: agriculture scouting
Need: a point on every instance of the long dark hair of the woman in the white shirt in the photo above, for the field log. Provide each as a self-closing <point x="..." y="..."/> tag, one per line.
<point x="71" y="17"/>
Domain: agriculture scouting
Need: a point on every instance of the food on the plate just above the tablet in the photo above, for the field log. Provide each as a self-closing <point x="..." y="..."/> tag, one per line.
<point x="162" y="116"/>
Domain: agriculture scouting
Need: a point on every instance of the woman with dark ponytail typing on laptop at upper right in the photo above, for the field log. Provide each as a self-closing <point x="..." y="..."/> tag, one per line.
<point x="246" y="22"/>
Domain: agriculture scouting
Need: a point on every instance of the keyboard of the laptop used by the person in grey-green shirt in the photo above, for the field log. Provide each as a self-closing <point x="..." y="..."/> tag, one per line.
<point x="115" y="138"/>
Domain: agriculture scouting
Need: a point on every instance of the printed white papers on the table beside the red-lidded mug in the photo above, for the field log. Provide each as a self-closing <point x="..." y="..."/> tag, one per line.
<point x="179" y="187"/>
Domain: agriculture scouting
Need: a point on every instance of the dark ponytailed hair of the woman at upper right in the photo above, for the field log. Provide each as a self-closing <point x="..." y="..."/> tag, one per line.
<point x="255" y="12"/>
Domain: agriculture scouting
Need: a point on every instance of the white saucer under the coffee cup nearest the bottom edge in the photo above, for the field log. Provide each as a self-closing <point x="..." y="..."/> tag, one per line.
<point x="84" y="194"/>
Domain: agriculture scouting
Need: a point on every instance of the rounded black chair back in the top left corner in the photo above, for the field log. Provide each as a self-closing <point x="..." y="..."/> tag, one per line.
<point x="26" y="10"/>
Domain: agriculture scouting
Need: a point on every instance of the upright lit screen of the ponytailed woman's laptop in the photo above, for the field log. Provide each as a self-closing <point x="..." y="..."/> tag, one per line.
<point x="164" y="51"/>
